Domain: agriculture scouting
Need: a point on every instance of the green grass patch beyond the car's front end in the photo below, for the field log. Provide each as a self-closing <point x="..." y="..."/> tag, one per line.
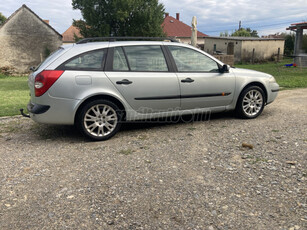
<point x="286" y="77"/>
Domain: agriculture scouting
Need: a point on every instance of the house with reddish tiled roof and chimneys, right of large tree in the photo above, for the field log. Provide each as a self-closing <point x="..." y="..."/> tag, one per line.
<point x="173" y="27"/>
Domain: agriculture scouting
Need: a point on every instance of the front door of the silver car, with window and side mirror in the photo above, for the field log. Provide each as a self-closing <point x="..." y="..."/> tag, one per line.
<point x="202" y="85"/>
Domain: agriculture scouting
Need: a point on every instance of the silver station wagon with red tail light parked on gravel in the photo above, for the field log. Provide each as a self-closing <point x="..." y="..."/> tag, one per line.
<point x="96" y="85"/>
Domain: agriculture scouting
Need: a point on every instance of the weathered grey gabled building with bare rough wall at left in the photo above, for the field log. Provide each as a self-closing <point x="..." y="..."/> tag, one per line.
<point x="26" y="40"/>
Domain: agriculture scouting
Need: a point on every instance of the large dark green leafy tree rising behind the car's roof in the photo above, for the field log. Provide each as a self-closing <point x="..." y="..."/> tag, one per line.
<point x="120" y="18"/>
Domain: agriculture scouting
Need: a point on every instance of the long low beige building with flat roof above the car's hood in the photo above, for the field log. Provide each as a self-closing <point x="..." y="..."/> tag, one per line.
<point x="246" y="49"/>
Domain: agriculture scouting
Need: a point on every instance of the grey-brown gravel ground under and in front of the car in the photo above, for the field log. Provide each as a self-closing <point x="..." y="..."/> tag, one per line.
<point x="191" y="175"/>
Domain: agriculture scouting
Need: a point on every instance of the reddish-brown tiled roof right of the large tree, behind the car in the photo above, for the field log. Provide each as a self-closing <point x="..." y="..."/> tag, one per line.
<point x="175" y="28"/>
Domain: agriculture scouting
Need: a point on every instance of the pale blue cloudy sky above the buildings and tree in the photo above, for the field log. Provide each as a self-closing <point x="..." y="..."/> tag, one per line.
<point x="213" y="16"/>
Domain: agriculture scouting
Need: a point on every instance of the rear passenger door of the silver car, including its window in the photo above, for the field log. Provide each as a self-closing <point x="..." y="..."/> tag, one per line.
<point x="141" y="74"/>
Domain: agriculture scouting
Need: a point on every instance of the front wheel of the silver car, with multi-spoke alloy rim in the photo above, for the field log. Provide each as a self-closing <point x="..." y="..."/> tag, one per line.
<point x="250" y="103"/>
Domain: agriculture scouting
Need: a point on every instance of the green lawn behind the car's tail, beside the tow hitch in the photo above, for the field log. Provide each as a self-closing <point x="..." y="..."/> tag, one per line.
<point x="14" y="94"/>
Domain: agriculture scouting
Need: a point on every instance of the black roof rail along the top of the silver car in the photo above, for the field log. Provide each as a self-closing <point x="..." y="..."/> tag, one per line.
<point x="113" y="39"/>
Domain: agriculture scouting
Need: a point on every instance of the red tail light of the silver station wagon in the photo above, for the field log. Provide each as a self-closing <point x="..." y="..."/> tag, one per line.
<point x="44" y="80"/>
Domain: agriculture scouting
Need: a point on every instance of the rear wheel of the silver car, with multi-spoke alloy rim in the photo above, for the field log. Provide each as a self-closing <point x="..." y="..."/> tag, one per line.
<point x="99" y="119"/>
